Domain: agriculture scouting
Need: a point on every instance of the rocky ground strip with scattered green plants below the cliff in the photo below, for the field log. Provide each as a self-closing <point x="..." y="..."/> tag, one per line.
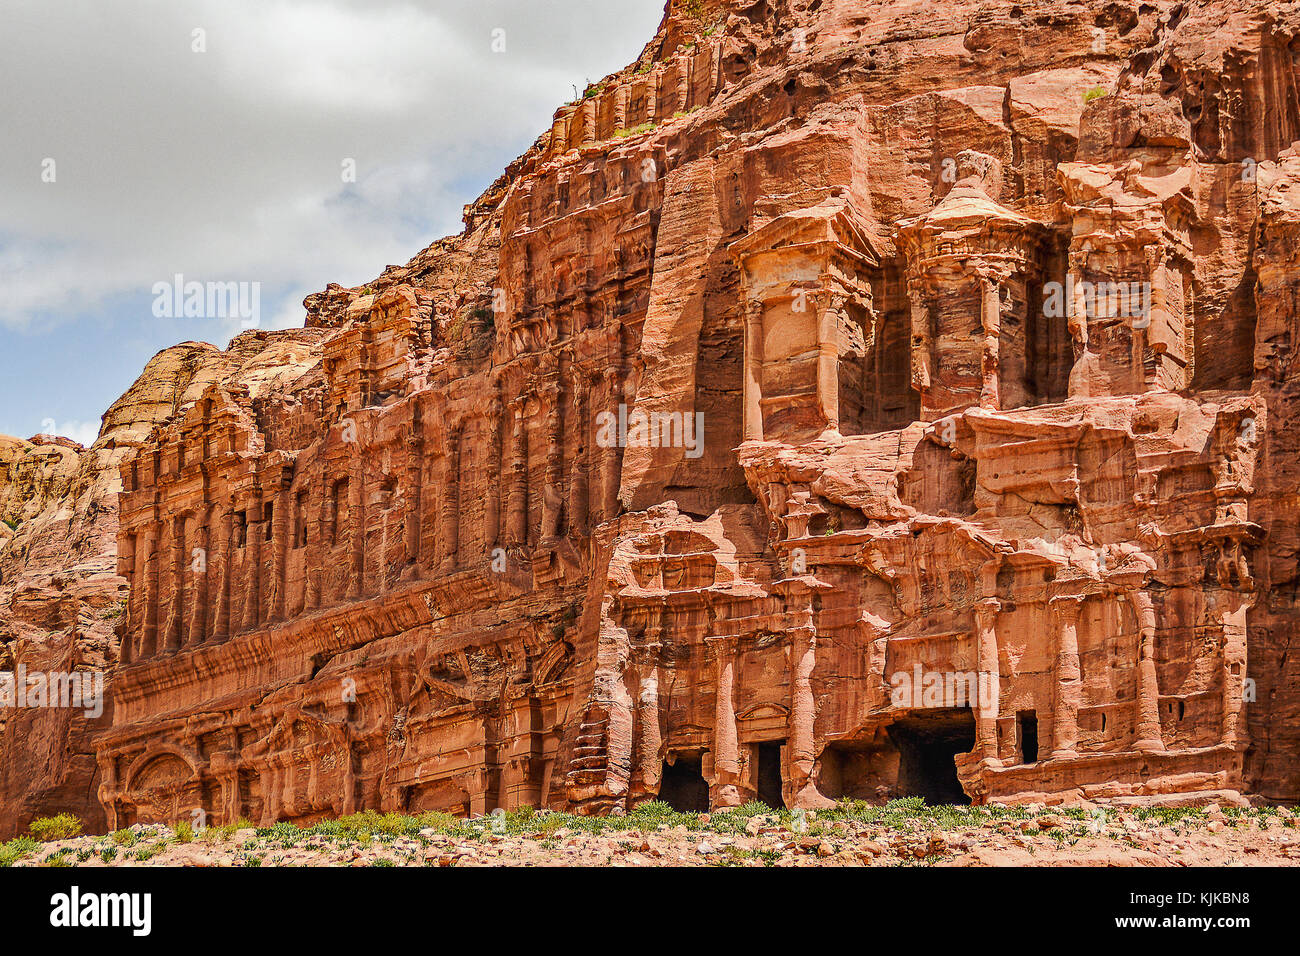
<point x="902" y="834"/>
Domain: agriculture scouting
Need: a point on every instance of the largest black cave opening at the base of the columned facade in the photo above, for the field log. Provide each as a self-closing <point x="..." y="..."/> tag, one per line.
<point x="928" y="747"/>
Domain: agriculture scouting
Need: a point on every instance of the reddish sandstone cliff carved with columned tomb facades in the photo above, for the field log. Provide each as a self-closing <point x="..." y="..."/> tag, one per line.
<point x="829" y="348"/>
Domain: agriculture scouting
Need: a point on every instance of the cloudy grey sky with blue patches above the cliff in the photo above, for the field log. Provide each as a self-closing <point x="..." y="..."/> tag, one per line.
<point x="214" y="140"/>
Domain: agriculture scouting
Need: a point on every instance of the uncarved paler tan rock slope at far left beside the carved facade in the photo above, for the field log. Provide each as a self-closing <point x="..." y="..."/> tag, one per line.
<point x="62" y="600"/>
